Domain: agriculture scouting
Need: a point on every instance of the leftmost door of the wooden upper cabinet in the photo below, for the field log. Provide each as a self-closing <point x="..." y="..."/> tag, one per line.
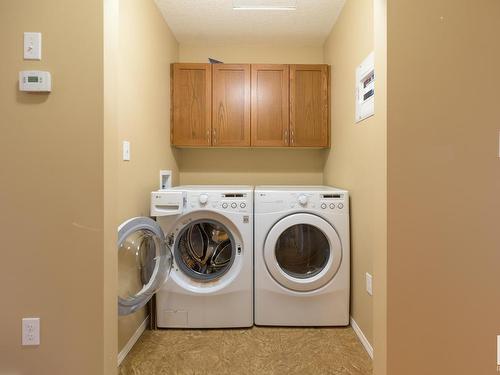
<point x="191" y="104"/>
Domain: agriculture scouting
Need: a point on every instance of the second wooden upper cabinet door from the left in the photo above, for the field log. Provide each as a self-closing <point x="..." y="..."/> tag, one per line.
<point x="231" y="105"/>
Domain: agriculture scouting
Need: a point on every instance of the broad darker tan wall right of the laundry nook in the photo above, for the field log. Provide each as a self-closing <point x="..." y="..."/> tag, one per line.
<point x="444" y="184"/>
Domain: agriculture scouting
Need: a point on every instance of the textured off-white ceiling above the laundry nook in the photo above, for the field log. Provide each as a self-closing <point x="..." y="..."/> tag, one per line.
<point x="195" y="21"/>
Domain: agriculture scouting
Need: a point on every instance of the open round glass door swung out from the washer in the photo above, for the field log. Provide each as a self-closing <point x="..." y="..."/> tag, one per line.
<point x="144" y="263"/>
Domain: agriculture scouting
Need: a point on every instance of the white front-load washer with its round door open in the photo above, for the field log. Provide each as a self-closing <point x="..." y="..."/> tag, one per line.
<point x="203" y="273"/>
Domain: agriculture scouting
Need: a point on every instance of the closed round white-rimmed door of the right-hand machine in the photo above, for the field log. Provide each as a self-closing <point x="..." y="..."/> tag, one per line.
<point x="303" y="252"/>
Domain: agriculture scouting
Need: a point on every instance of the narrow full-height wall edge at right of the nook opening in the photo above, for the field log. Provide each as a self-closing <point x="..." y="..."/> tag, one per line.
<point x="380" y="250"/>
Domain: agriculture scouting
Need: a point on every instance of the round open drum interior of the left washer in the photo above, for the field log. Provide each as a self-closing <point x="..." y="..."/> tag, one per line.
<point x="204" y="249"/>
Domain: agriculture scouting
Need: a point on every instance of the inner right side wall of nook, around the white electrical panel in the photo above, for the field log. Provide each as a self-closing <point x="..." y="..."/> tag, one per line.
<point x="357" y="159"/>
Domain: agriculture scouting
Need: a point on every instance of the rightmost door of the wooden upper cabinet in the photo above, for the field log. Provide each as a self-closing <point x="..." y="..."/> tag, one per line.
<point x="309" y="105"/>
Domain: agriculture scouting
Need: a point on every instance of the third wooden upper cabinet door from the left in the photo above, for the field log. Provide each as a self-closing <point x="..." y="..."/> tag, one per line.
<point x="270" y="105"/>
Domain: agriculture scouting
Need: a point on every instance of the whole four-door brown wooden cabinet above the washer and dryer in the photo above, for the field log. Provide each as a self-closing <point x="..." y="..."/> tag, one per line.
<point x="243" y="105"/>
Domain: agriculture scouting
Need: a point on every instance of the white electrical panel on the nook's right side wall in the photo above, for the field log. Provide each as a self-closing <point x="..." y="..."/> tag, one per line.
<point x="365" y="88"/>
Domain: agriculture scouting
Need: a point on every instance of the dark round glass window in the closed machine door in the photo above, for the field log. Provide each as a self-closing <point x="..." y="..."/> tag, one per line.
<point x="302" y="251"/>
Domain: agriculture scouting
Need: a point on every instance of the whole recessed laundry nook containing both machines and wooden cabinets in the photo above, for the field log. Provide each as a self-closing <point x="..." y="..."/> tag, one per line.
<point x="250" y="112"/>
